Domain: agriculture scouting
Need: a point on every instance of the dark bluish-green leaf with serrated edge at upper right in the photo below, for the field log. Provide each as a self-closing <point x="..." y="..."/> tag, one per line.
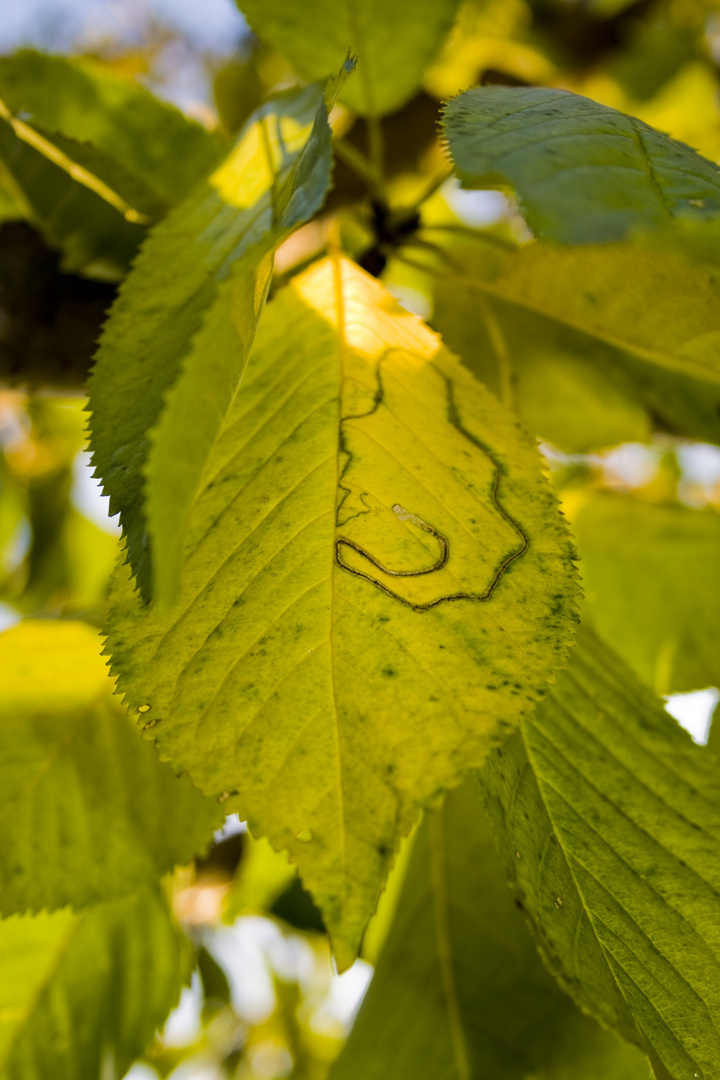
<point x="583" y="173"/>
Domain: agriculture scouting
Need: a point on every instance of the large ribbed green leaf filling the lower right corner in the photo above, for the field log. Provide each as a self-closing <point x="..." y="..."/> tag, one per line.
<point x="609" y="819"/>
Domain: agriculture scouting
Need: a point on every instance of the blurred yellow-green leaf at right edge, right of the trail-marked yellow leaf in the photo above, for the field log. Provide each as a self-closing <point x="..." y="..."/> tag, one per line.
<point x="651" y="587"/>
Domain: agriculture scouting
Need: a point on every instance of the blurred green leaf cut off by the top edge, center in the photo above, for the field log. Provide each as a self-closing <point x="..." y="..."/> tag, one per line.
<point x="395" y="43"/>
